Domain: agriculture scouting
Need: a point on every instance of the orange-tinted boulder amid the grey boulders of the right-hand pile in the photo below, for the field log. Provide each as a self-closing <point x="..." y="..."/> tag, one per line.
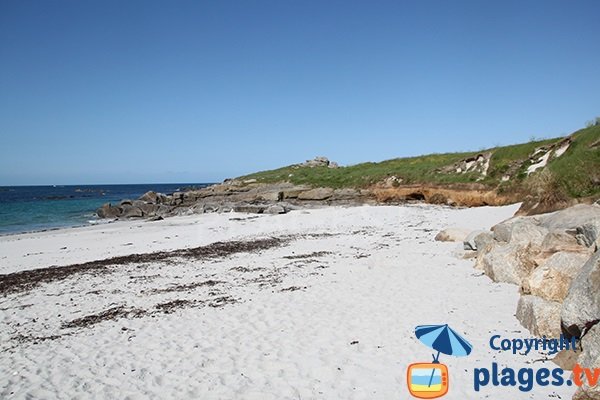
<point x="552" y="279"/>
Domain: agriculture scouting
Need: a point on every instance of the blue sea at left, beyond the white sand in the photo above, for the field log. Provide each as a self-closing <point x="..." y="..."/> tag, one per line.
<point x="36" y="208"/>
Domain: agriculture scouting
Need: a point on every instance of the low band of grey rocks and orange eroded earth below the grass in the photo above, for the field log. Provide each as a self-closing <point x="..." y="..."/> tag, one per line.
<point x="278" y="198"/>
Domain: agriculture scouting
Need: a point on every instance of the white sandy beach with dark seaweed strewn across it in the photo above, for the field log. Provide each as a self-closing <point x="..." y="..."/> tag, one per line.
<point x="316" y="304"/>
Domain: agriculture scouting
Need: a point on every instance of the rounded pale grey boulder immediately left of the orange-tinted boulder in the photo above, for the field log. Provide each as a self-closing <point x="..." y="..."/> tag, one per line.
<point x="510" y="263"/>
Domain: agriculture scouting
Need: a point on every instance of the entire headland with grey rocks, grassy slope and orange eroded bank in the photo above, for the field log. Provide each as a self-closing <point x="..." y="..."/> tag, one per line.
<point x="545" y="175"/>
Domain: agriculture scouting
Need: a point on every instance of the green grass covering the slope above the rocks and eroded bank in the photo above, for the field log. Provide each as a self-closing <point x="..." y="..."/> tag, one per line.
<point x="577" y="171"/>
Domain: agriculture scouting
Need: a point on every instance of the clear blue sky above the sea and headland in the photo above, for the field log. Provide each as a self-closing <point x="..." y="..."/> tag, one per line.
<point x="193" y="91"/>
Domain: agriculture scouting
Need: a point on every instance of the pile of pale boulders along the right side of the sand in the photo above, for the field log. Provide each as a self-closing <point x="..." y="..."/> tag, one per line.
<point x="555" y="260"/>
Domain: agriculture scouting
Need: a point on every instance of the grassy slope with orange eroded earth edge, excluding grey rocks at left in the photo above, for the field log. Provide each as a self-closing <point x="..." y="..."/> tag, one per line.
<point x="544" y="173"/>
